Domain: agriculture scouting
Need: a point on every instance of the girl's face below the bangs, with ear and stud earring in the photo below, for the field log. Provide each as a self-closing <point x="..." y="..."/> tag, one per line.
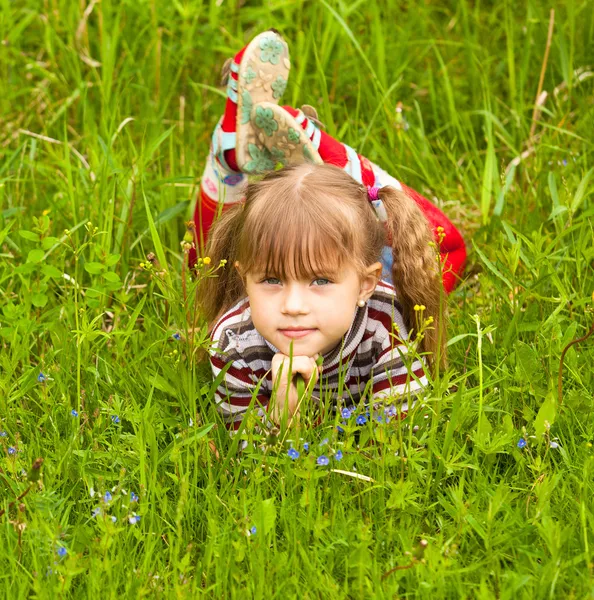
<point x="312" y="314"/>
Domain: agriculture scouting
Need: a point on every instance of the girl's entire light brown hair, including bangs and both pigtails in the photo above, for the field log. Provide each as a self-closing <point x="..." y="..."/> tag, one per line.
<point x="300" y="216"/>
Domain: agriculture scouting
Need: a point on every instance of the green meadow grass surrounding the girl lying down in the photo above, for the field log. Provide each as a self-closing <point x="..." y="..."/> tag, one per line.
<point x="105" y="120"/>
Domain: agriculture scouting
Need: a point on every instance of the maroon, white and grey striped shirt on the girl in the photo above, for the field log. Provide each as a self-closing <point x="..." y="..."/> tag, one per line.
<point x="370" y="358"/>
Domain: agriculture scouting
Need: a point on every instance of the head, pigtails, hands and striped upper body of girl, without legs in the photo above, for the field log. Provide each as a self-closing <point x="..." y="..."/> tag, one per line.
<point x="303" y="279"/>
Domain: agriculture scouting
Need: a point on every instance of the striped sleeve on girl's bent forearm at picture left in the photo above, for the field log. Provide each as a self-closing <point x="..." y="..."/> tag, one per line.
<point x="239" y="384"/>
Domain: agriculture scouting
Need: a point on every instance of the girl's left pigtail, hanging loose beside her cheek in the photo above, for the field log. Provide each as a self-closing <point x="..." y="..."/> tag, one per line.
<point x="216" y="294"/>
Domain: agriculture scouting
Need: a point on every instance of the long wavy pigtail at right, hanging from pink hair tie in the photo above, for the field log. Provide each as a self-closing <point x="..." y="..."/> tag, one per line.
<point x="415" y="271"/>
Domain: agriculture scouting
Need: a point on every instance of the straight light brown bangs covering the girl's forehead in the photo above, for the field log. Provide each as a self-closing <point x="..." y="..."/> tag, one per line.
<point x="301" y="247"/>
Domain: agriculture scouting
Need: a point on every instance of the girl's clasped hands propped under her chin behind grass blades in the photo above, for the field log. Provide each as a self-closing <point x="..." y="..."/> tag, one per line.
<point x="284" y="395"/>
